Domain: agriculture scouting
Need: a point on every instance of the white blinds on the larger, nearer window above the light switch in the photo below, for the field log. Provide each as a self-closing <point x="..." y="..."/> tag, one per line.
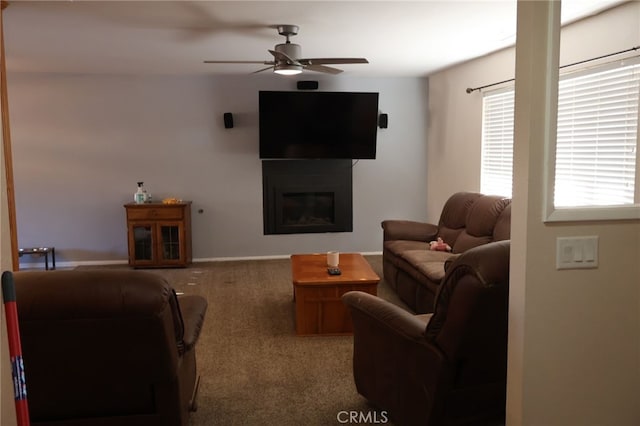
<point x="597" y="138"/>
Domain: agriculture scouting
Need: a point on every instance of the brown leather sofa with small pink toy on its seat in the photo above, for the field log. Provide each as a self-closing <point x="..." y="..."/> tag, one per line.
<point x="468" y="219"/>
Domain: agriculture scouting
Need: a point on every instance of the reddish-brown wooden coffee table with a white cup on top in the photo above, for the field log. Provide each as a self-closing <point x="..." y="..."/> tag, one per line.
<point x="317" y="295"/>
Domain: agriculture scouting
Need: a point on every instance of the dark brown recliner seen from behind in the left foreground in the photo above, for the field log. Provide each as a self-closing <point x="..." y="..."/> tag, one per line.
<point x="106" y="347"/>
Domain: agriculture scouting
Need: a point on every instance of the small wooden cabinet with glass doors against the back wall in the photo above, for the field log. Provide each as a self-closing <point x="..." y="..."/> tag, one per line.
<point x="159" y="235"/>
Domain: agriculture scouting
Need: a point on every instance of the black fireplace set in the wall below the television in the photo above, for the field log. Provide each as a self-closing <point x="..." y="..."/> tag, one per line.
<point x="307" y="196"/>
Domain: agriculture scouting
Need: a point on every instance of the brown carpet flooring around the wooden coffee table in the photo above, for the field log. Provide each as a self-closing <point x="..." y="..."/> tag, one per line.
<point x="254" y="369"/>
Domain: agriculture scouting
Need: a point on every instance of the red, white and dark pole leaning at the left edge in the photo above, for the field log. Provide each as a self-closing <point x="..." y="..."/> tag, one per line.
<point x="15" y="349"/>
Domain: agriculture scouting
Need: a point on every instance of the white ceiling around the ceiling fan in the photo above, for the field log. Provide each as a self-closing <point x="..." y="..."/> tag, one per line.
<point x="398" y="38"/>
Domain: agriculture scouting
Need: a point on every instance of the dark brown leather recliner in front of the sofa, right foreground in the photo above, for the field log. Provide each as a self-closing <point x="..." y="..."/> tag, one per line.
<point x="444" y="368"/>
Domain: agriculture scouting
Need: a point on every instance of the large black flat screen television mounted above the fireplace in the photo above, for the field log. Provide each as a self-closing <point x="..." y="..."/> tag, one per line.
<point x="314" y="125"/>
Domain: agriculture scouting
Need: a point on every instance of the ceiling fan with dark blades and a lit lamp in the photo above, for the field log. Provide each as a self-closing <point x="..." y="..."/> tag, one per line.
<point x="287" y="61"/>
